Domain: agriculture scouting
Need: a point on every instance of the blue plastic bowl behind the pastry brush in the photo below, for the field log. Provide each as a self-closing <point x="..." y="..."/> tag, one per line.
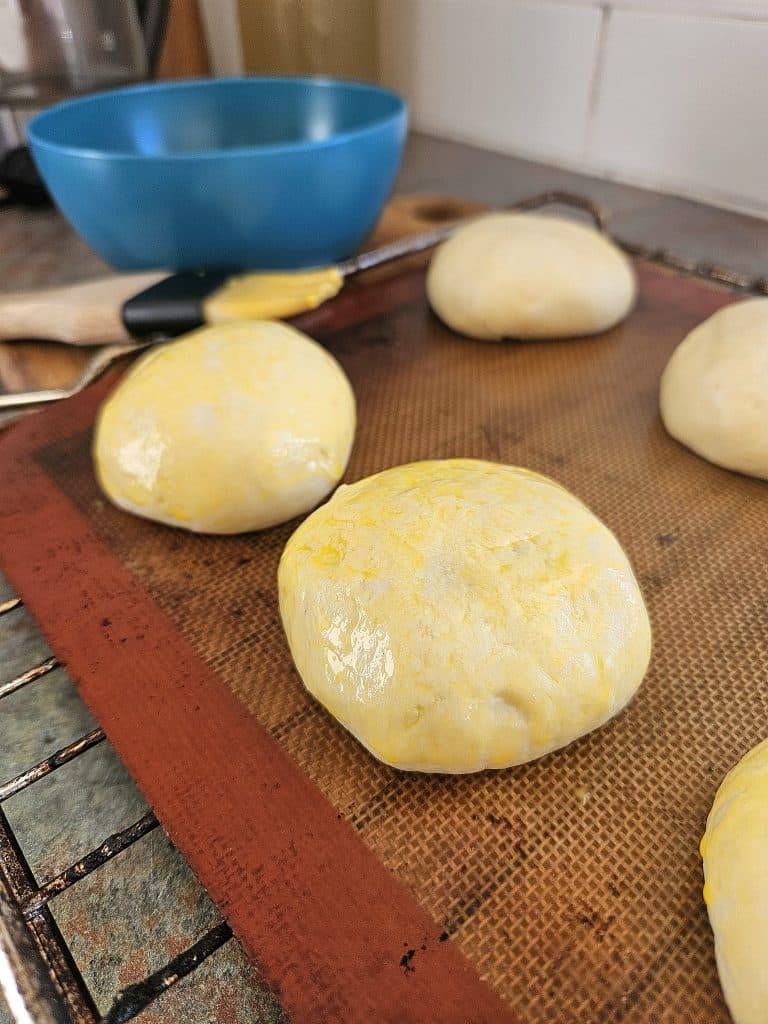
<point x="247" y="173"/>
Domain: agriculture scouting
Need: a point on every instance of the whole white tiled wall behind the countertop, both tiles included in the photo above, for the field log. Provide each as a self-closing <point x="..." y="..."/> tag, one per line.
<point x="662" y="94"/>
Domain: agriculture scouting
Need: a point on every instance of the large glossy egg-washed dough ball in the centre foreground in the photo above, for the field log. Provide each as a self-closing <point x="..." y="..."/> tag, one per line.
<point x="461" y="615"/>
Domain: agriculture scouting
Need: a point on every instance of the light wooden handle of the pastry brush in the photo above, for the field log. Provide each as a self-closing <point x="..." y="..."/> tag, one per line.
<point x="87" y="314"/>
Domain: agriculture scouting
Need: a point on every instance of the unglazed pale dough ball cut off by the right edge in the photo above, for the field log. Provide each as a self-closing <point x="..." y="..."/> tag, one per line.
<point x="714" y="395"/>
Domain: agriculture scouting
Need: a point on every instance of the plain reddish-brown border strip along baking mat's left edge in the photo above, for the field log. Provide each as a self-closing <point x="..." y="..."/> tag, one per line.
<point x="323" y="918"/>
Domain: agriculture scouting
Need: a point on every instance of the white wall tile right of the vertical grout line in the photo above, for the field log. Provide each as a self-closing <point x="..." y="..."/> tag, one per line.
<point x="684" y="102"/>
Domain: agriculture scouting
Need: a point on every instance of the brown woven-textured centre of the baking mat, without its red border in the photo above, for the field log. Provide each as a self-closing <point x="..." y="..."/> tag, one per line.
<point x="574" y="883"/>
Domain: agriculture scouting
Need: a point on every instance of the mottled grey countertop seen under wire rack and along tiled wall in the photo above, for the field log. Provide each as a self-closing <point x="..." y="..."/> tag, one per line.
<point x="133" y="915"/>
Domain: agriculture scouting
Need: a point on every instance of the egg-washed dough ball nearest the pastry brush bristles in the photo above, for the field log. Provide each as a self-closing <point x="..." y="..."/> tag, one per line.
<point x="232" y="429"/>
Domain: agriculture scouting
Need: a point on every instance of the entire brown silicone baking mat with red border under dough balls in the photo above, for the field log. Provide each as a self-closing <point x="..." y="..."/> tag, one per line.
<point x="566" y="890"/>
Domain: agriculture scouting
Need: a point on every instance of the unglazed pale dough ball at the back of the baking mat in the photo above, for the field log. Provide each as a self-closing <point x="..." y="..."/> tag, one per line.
<point x="529" y="276"/>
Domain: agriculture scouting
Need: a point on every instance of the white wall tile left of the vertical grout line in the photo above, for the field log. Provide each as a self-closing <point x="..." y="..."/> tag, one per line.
<point x="516" y="76"/>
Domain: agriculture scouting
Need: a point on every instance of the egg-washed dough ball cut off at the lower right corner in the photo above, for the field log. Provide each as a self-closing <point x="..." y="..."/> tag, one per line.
<point x="736" y="862"/>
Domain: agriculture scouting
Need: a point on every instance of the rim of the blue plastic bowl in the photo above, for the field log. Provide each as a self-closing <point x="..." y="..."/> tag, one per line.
<point x="324" y="81"/>
